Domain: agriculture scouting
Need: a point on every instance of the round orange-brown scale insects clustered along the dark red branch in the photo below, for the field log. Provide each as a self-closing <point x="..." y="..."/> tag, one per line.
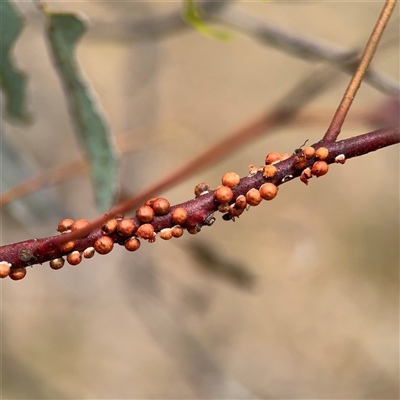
<point x="129" y="235"/>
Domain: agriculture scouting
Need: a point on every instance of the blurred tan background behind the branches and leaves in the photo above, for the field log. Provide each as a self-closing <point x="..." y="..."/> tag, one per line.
<point x="298" y="298"/>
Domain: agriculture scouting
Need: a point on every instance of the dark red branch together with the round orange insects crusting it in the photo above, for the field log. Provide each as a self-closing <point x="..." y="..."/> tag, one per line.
<point x="199" y="212"/>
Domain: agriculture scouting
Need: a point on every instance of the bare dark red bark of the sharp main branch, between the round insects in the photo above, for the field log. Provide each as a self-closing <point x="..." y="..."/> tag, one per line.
<point x="37" y="251"/>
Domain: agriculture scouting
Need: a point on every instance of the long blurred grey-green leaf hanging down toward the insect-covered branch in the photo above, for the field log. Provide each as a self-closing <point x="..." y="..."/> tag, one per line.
<point x="64" y="31"/>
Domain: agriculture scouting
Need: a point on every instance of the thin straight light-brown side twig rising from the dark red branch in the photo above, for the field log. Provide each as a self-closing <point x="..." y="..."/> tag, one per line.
<point x="351" y="91"/>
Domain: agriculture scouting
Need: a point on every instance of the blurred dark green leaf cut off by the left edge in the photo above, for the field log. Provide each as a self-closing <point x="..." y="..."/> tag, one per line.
<point x="12" y="80"/>
